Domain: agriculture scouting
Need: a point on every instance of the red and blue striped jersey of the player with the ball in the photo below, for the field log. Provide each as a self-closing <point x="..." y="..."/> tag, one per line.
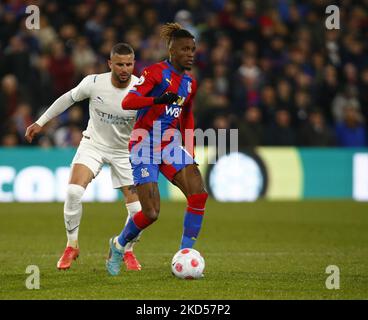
<point x="155" y="80"/>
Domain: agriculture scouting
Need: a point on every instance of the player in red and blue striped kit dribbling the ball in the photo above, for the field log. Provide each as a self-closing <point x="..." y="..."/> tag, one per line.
<point x="163" y="97"/>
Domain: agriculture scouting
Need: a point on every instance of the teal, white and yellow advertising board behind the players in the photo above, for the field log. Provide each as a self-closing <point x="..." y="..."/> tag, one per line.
<point x="41" y="175"/>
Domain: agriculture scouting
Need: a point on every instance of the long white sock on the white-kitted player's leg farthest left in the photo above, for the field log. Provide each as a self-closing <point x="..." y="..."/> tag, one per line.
<point x="73" y="213"/>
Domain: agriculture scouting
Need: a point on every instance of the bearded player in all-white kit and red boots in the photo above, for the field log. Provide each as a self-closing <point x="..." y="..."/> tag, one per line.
<point x="105" y="140"/>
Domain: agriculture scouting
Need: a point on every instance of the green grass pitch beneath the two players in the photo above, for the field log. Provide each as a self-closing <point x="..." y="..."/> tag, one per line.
<point x="262" y="250"/>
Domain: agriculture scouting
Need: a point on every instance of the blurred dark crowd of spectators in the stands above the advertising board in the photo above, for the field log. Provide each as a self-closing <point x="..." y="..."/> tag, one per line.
<point x="270" y="68"/>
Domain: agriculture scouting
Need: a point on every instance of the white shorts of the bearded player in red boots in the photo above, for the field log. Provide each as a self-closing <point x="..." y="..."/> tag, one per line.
<point x="95" y="156"/>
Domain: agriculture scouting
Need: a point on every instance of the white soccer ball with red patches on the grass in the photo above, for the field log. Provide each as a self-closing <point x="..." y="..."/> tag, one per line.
<point x="188" y="263"/>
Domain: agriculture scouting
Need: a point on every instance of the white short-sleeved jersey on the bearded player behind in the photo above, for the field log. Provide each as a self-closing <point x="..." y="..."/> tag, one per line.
<point x="109" y="125"/>
